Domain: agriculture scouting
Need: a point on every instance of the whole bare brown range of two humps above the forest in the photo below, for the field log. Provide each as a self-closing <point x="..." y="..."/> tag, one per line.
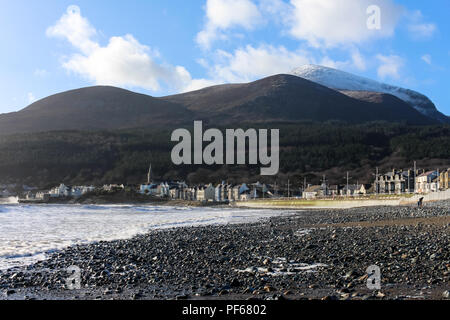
<point x="281" y="98"/>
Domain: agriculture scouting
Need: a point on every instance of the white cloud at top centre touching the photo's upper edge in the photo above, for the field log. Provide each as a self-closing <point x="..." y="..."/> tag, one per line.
<point x="222" y="15"/>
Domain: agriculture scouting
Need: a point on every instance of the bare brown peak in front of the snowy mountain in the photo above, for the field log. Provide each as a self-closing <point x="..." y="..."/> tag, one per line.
<point x="290" y="98"/>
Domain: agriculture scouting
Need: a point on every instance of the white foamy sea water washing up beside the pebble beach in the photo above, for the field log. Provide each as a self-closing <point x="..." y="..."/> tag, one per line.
<point x="29" y="232"/>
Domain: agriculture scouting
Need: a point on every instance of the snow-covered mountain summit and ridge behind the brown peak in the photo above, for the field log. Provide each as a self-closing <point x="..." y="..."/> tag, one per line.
<point x="343" y="81"/>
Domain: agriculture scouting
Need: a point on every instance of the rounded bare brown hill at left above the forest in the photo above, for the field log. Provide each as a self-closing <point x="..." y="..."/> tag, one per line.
<point x="93" y="108"/>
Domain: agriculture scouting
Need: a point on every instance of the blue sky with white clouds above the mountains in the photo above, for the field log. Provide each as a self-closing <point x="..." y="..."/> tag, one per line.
<point x="165" y="47"/>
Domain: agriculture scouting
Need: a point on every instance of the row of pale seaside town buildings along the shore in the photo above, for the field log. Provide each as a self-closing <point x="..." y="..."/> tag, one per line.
<point x="395" y="182"/>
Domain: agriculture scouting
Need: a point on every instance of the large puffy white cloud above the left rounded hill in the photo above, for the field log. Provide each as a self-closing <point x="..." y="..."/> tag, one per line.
<point x="122" y="62"/>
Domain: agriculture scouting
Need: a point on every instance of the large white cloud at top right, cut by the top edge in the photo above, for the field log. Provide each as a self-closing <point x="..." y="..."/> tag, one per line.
<point x="325" y="23"/>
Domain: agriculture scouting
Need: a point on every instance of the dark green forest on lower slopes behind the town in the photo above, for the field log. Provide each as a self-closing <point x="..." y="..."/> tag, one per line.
<point x="307" y="150"/>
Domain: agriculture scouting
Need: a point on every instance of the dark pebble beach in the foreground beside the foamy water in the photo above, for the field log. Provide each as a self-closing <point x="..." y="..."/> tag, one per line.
<point x="320" y="254"/>
